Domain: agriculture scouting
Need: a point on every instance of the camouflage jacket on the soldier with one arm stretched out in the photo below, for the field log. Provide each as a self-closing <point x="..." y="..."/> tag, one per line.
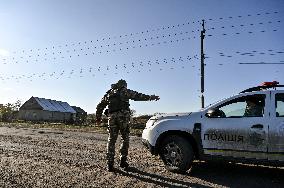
<point x="118" y="99"/>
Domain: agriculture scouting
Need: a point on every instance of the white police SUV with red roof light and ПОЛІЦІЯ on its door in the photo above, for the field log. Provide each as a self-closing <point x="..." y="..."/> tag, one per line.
<point x="247" y="128"/>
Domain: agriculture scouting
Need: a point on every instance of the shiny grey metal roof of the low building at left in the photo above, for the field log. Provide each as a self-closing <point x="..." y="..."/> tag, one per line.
<point x="53" y="105"/>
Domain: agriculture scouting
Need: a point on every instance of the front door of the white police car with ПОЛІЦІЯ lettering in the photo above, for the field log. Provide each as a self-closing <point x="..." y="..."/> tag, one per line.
<point x="237" y="128"/>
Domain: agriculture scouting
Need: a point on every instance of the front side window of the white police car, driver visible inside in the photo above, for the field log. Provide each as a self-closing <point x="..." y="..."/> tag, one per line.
<point x="247" y="106"/>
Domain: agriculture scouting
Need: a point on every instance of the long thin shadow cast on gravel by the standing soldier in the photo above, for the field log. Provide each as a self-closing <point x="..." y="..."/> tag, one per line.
<point x="154" y="178"/>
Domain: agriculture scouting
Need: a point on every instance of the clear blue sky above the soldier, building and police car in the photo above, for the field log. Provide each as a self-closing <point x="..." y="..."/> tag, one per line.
<point x="73" y="50"/>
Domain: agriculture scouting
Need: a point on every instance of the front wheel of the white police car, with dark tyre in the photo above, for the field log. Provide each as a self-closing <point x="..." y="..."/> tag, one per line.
<point x="176" y="153"/>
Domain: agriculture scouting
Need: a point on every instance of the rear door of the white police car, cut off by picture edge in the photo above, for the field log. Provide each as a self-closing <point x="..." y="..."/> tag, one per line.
<point x="276" y="129"/>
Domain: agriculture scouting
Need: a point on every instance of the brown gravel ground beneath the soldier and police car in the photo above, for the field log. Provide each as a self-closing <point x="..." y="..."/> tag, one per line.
<point x="53" y="158"/>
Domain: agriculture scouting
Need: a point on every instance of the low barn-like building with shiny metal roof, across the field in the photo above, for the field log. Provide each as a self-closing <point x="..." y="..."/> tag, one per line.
<point x="41" y="109"/>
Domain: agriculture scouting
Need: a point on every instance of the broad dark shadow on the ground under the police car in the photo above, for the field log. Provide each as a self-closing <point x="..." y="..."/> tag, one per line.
<point x="238" y="175"/>
